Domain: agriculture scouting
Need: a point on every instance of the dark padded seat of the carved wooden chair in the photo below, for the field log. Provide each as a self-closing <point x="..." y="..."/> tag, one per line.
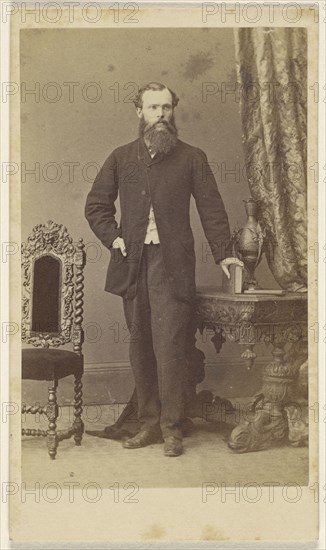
<point x="50" y="364"/>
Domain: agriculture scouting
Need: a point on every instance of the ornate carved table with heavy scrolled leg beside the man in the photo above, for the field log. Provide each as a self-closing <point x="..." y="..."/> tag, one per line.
<point x="248" y="319"/>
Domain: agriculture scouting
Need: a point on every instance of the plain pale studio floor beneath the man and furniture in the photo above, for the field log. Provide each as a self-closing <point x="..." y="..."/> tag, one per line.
<point x="206" y="458"/>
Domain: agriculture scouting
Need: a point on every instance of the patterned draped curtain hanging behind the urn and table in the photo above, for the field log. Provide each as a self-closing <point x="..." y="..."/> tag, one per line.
<point x="272" y="76"/>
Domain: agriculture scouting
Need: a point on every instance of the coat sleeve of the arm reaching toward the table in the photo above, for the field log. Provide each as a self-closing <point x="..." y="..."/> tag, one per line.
<point x="210" y="207"/>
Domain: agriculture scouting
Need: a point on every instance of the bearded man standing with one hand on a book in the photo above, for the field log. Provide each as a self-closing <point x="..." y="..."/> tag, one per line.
<point x="152" y="262"/>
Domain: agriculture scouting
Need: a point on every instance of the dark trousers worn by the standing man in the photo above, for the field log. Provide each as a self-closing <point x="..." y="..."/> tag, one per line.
<point x="158" y="324"/>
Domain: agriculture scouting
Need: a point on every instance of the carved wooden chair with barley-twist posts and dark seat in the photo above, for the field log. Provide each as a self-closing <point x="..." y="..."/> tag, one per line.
<point x="52" y="315"/>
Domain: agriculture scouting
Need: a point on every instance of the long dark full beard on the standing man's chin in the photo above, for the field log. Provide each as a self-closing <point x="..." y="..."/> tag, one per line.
<point x="161" y="140"/>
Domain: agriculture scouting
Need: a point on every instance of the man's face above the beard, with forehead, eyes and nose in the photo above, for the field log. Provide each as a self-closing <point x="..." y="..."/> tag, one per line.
<point x="157" y="107"/>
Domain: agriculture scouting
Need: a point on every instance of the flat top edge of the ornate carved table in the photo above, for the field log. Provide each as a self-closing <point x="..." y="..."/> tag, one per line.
<point x="217" y="293"/>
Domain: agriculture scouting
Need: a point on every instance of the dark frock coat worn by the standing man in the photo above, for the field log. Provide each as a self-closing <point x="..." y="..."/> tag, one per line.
<point x="167" y="181"/>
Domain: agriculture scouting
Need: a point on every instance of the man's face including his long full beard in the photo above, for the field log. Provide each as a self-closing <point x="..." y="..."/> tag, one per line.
<point x="156" y="123"/>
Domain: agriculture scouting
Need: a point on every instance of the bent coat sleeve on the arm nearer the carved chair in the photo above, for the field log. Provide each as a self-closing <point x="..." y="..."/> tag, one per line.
<point x="100" y="209"/>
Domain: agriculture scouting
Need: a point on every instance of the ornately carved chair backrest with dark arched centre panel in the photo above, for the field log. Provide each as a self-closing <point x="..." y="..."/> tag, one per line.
<point x="53" y="288"/>
